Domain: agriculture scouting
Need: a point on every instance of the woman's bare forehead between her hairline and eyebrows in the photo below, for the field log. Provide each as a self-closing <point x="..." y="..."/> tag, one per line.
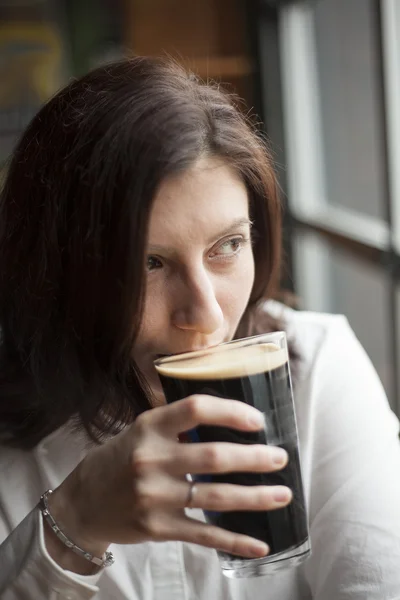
<point x="199" y="200"/>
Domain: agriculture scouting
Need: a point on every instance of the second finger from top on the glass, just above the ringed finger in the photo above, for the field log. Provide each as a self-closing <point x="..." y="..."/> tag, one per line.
<point x="223" y="457"/>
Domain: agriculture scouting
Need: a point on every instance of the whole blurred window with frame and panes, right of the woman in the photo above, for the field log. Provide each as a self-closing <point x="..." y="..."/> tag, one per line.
<point x="339" y="76"/>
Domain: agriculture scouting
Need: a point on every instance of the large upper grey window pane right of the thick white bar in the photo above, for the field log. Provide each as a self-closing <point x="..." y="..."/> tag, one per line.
<point x="347" y="56"/>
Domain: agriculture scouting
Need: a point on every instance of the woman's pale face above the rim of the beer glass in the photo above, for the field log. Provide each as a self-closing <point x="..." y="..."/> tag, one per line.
<point x="200" y="266"/>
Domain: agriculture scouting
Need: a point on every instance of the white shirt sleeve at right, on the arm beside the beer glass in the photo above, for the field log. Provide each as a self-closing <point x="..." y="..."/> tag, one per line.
<point x="355" y="486"/>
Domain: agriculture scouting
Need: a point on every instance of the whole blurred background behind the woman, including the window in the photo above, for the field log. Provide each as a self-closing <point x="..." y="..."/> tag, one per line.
<point x="323" y="76"/>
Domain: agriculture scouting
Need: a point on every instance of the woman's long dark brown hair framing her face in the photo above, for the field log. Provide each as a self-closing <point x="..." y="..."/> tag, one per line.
<point x="73" y="223"/>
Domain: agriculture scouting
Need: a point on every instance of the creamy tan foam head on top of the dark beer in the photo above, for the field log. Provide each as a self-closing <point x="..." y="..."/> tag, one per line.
<point x="225" y="364"/>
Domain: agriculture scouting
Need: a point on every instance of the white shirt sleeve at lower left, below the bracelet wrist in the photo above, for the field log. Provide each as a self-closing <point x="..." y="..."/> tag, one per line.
<point x="28" y="572"/>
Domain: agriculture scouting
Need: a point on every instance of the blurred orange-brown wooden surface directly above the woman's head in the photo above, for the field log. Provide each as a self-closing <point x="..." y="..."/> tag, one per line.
<point x="209" y="37"/>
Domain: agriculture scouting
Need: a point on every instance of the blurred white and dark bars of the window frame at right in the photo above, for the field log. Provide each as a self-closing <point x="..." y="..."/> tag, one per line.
<point x="374" y="240"/>
